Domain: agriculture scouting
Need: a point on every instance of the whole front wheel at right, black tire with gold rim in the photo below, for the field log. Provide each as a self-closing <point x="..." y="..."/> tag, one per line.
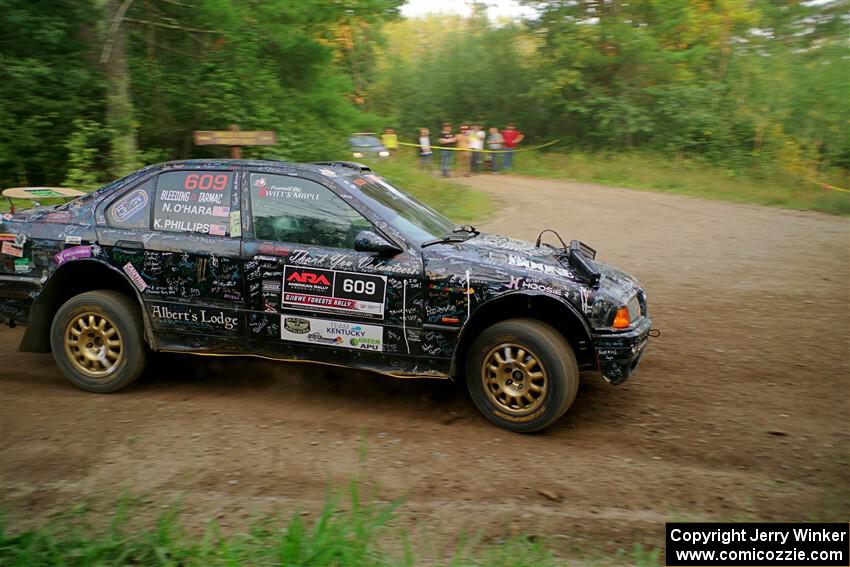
<point x="522" y="374"/>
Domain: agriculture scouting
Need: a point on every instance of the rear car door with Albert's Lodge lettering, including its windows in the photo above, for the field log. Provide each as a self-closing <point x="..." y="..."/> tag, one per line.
<point x="176" y="235"/>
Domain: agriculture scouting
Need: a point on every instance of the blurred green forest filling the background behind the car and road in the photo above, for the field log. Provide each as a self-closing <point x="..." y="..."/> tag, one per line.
<point x="91" y="89"/>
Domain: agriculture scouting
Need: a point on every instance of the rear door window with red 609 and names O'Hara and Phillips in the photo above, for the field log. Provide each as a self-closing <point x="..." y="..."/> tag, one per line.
<point x="193" y="201"/>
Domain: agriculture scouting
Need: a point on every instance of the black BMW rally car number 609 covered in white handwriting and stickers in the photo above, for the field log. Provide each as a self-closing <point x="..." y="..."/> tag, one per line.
<point x="322" y="262"/>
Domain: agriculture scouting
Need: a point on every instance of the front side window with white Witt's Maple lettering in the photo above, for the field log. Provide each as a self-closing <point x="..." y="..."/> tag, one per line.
<point x="292" y="209"/>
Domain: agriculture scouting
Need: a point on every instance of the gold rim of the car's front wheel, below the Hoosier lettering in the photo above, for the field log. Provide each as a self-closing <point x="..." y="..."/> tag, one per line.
<point x="514" y="379"/>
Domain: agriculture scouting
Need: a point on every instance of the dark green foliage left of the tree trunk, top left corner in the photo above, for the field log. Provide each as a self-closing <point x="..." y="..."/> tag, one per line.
<point x="47" y="81"/>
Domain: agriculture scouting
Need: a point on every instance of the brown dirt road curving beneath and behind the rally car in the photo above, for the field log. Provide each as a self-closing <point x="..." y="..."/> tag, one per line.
<point x="739" y="410"/>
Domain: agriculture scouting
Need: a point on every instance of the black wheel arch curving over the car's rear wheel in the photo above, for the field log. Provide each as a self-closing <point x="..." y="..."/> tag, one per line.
<point x="54" y="293"/>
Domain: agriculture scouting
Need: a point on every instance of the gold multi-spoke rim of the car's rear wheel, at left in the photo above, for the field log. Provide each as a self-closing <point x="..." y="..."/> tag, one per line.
<point x="94" y="345"/>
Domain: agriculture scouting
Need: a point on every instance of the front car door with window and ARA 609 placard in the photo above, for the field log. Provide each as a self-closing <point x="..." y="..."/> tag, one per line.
<point x="311" y="294"/>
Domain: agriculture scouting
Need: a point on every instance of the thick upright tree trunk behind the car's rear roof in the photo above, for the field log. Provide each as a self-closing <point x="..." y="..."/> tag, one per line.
<point x="119" y="107"/>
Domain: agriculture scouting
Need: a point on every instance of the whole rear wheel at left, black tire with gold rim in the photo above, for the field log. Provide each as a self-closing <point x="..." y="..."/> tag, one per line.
<point x="97" y="340"/>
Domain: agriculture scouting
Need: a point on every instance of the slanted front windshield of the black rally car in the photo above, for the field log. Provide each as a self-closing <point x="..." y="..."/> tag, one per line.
<point x="412" y="218"/>
